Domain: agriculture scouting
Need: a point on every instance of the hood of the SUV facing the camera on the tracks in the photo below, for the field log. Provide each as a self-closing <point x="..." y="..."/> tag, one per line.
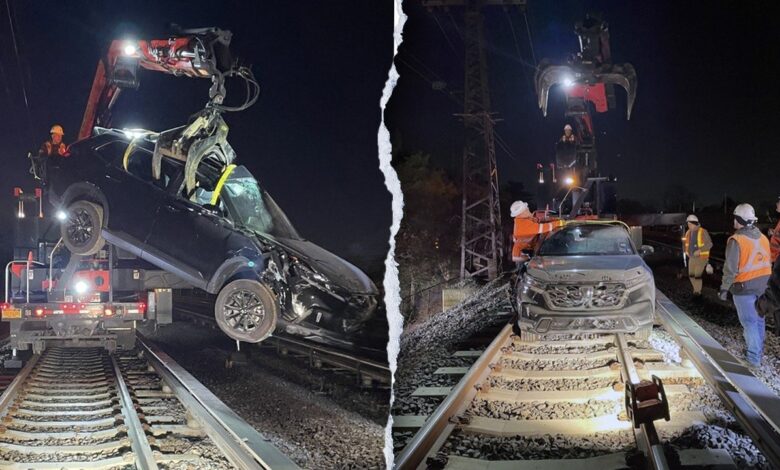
<point x="586" y="268"/>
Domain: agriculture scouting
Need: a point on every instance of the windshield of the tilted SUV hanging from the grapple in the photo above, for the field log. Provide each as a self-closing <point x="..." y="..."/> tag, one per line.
<point x="253" y="208"/>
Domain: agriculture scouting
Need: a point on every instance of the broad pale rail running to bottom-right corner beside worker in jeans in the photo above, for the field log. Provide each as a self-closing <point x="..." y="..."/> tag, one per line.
<point x="754" y="405"/>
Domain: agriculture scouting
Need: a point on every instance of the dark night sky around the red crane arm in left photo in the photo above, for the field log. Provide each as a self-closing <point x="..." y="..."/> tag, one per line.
<point x="310" y="139"/>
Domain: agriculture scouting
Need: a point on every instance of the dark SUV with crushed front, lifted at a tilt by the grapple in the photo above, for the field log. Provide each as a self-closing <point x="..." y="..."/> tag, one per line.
<point x="224" y="234"/>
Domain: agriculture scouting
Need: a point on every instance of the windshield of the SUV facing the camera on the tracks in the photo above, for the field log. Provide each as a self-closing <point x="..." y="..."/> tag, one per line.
<point x="594" y="240"/>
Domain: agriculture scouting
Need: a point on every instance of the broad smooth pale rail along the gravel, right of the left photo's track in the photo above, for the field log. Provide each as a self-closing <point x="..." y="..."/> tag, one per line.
<point x="243" y="445"/>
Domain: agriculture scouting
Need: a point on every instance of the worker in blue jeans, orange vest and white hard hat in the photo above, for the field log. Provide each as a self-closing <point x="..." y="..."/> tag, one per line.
<point x="746" y="274"/>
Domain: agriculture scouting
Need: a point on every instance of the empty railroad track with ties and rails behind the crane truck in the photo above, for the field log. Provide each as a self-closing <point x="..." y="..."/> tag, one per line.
<point x="84" y="408"/>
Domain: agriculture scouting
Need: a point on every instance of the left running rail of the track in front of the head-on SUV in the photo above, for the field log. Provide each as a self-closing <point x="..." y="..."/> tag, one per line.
<point x="439" y="425"/>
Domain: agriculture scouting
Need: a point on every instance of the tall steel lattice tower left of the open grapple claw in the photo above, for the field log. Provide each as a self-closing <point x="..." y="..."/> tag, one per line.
<point x="481" y="246"/>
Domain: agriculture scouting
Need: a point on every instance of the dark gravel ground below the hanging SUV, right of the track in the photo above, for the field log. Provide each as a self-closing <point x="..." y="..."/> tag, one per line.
<point x="313" y="430"/>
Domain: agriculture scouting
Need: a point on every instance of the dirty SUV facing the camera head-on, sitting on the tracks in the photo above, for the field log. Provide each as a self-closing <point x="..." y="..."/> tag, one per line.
<point x="586" y="278"/>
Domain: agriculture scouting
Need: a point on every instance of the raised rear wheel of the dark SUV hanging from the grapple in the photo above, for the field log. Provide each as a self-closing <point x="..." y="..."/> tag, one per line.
<point x="81" y="232"/>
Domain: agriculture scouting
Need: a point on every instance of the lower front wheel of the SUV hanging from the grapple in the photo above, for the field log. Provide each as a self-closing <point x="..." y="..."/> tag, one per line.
<point x="246" y="310"/>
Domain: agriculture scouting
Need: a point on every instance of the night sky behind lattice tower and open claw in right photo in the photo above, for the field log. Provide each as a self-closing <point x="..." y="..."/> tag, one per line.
<point x="704" y="117"/>
